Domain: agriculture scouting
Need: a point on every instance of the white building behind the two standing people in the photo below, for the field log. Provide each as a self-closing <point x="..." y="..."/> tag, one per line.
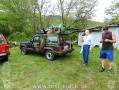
<point x="97" y="35"/>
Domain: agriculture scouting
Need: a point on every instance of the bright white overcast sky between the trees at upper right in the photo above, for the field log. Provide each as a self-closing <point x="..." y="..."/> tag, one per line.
<point x="100" y="9"/>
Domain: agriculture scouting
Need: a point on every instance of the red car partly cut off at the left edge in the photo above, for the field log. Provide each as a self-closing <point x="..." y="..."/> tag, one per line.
<point x="4" y="48"/>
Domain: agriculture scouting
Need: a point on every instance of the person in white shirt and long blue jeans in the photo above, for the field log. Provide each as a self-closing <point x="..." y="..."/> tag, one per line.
<point x="87" y="41"/>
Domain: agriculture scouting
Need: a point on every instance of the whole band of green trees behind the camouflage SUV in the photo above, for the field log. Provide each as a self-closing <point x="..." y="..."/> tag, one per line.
<point x="21" y="18"/>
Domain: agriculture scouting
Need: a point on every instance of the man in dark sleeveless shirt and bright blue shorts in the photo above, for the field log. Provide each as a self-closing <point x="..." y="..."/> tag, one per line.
<point x="108" y="38"/>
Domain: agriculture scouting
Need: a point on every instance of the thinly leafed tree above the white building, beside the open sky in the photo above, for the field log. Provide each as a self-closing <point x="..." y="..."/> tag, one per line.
<point x="84" y="11"/>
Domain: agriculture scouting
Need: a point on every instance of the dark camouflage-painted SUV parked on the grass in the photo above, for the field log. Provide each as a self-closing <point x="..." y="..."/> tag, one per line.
<point x="48" y="44"/>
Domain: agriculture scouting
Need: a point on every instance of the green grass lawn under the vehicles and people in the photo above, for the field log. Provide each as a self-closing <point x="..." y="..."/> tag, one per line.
<point x="34" y="72"/>
